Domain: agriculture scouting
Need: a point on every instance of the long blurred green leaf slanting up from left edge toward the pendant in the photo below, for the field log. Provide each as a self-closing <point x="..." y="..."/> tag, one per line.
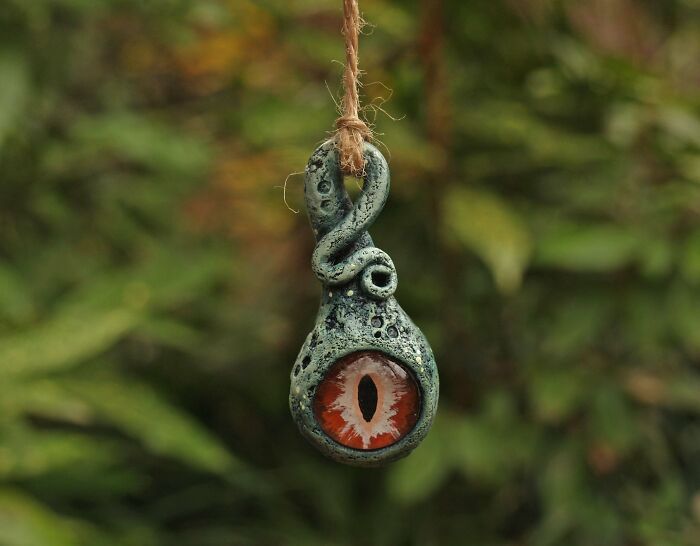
<point x="92" y="319"/>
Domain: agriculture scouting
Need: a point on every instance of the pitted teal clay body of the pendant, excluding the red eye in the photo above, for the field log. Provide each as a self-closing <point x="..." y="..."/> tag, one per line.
<point x="358" y="311"/>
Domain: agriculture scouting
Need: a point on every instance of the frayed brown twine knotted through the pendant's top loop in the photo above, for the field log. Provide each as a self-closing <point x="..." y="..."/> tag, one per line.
<point x="351" y="130"/>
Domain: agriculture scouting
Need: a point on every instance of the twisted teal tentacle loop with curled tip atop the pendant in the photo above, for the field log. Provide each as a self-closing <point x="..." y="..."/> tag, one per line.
<point x="344" y="250"/>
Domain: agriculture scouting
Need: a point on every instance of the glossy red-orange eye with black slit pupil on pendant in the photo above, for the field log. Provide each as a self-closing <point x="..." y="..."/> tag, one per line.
<point x="367" y="401"/>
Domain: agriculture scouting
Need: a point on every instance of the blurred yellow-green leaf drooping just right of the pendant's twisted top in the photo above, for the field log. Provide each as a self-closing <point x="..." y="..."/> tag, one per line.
<point x="487" y="226"/>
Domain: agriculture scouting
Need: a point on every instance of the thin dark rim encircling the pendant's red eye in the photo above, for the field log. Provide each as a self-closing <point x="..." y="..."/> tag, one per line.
<point x="409" y="372"/>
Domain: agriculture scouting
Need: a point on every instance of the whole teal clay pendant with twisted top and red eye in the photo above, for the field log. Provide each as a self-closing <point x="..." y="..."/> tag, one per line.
<point x="365" y="385"/>
